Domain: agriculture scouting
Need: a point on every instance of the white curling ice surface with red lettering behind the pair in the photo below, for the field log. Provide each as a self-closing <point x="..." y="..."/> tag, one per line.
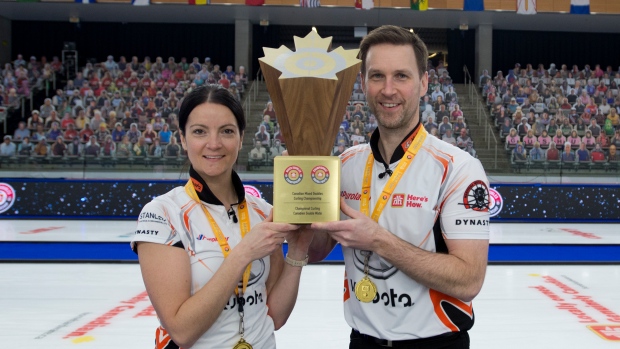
<point x="101" y="306"/>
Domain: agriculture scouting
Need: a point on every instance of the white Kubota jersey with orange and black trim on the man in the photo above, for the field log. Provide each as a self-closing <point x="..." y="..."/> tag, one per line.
<point x="442" y="195"/>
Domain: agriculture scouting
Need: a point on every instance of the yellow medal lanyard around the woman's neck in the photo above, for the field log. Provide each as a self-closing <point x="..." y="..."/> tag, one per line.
<point x="244" y="224"/>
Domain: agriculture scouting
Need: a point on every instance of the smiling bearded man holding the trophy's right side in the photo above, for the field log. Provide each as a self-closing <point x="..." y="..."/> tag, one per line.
<point x="417" y="248"/>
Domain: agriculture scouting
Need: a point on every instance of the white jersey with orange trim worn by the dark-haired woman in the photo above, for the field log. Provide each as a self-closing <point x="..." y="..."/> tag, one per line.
<point x="174" y="219"/>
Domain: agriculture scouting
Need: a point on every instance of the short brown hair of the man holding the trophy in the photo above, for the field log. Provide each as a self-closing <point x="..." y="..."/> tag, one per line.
<point x="391" y="34"/>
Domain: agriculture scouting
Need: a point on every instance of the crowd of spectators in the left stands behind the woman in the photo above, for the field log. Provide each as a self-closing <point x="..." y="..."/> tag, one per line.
<point x="118" y="109"/>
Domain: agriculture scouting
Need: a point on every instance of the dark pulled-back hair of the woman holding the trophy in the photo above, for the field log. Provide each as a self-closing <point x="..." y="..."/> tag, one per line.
<point x="210" y="94"/>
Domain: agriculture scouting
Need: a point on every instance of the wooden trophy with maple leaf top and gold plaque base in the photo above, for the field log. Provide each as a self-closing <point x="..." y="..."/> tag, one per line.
<point x="310" y="89"/>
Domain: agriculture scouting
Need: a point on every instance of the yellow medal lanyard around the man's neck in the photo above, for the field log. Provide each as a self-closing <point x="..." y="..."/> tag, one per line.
<point x="389" y="187"/>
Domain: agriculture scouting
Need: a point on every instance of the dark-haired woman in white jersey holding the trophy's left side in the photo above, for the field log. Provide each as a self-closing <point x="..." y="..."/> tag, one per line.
<point x="190" y="293"/>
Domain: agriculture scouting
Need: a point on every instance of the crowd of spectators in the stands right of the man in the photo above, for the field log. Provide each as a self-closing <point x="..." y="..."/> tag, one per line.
<point x="556" y="114"/>
